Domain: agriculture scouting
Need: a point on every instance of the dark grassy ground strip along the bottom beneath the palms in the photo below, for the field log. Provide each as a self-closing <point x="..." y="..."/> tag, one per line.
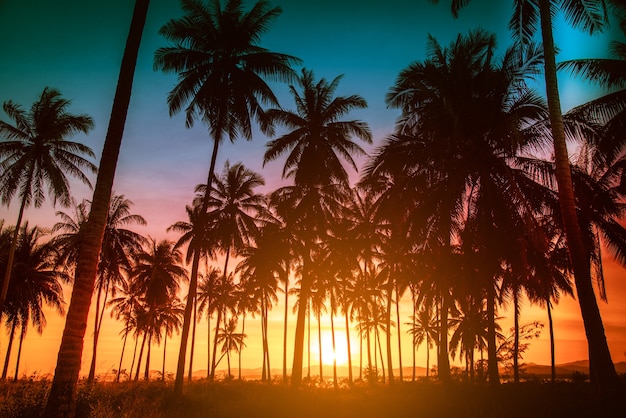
<point x="253" y="399"/>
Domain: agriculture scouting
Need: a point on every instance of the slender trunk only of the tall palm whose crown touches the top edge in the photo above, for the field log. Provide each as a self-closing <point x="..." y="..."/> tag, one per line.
<point x="193" y="286"/>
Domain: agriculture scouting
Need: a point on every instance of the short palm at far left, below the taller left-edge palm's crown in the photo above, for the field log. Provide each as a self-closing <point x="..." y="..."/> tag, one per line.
<point x="35" y="282"/>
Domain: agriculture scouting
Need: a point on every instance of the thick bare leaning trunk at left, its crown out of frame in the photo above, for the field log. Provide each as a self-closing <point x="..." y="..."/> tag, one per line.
<point x="62" y="398"/>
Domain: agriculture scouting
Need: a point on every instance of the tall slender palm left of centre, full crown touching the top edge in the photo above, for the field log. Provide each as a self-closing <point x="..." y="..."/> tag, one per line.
<point x="221" y="71"/>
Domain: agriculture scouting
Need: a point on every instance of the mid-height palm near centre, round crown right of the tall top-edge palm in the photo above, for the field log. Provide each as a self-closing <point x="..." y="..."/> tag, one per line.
<point x="317" y="137"/>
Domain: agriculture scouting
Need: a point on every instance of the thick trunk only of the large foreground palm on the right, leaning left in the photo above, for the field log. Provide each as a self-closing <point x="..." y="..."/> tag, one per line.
<point x="599" y="354"/>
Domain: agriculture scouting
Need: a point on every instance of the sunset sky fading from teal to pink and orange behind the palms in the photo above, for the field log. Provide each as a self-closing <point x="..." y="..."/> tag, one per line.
<point x="76" y="47"/>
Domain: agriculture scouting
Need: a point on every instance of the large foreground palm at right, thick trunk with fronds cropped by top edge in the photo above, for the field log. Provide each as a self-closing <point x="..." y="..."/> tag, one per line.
<point x="528" y="18"/>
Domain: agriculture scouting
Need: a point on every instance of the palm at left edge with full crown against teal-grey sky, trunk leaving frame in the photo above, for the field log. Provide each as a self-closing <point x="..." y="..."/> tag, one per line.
<point x="34" y="151"/>
